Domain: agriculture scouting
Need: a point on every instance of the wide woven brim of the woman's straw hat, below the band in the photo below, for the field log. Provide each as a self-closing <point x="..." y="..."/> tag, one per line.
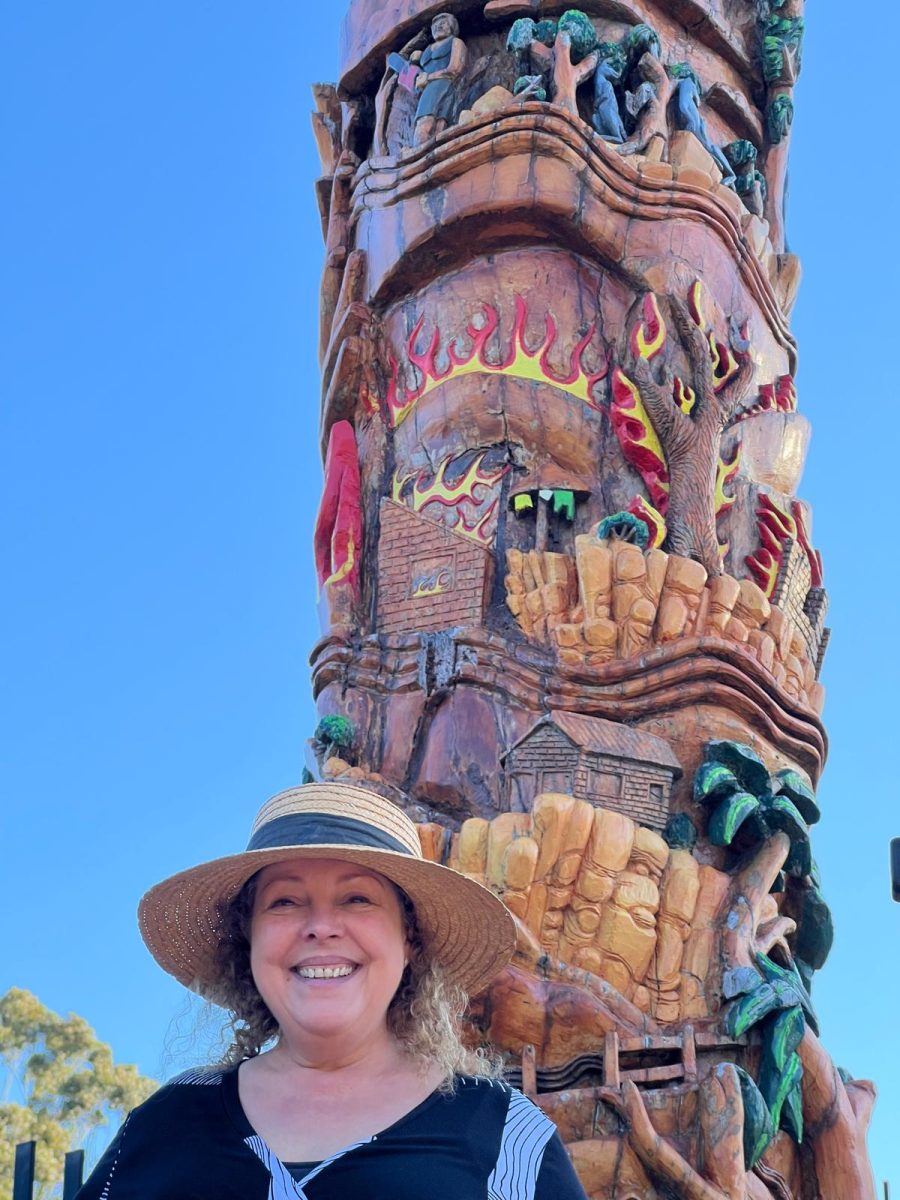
<point x="465" y="927"/>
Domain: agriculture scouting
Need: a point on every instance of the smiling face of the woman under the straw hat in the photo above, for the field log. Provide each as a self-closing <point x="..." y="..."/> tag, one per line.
<point x="327" y="949"/>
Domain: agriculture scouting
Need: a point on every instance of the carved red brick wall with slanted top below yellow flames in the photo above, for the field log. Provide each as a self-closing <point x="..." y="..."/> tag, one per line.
<point x="429" y="578"/>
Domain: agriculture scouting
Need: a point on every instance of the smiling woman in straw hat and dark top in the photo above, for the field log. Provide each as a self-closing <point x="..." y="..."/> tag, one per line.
<point x="333" y="943"/>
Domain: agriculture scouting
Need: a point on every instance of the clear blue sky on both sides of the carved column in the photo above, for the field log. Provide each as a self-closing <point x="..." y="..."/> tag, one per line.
<point x="161" y="254"/>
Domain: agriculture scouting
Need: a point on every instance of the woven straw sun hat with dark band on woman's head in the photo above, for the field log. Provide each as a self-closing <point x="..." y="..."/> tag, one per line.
<point x="465" y="928"/>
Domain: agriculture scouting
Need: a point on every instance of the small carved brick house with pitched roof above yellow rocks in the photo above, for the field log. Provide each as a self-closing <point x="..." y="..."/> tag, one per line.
<point x="608" y="764"/>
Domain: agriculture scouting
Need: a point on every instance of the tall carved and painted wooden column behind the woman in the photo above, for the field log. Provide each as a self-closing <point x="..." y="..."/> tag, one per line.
<point x="573" y="614"/>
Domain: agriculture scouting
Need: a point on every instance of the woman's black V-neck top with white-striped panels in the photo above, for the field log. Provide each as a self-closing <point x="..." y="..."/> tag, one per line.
<point x="193" y="1142"/>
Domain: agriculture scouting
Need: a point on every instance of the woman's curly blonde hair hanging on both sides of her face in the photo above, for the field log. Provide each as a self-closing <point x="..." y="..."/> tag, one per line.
<point x="425" y="1015"/>
